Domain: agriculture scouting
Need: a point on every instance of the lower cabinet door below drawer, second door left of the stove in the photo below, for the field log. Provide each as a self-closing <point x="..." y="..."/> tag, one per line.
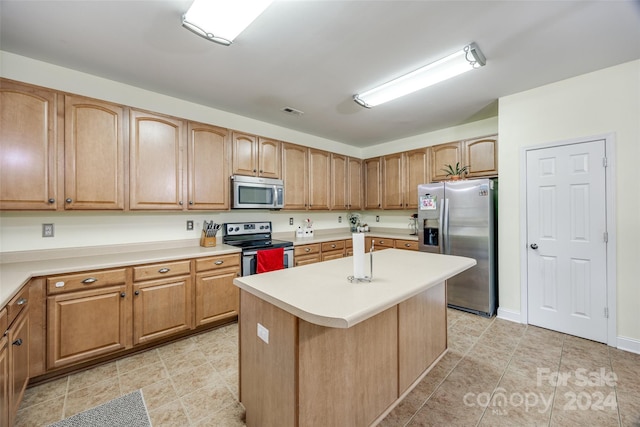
<point x="161" y="308"/>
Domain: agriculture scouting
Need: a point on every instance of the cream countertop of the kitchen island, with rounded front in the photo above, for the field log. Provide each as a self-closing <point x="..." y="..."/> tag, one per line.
<point x="321" y="294"/>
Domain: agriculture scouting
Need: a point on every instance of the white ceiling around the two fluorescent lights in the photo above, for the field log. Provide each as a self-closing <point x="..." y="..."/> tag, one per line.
<point x="315" y="55"/>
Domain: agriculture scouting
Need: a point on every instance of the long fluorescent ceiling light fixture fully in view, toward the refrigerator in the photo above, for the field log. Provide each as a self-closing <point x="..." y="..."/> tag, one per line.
<point x="464" y="60"/>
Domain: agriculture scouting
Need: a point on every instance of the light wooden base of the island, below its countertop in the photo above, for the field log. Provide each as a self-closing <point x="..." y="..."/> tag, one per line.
<point x="311" y="375"/>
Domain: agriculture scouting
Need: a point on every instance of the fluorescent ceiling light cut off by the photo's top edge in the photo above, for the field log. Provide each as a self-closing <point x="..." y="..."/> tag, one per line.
<point x="222" y="20"/>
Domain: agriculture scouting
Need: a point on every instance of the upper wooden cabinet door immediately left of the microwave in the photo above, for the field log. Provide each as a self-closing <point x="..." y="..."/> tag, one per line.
<point x="208" y="154"/>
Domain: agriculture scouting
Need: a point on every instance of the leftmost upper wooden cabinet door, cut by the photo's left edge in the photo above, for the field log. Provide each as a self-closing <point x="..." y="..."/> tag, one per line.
<point x="28" y="147"/>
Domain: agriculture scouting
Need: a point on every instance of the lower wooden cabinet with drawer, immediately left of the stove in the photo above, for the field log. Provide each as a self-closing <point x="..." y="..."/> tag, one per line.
<point x="217" y="298"/>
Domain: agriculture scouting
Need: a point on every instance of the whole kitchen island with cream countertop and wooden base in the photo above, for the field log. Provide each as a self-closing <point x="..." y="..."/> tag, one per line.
<point x="316" y="349"/>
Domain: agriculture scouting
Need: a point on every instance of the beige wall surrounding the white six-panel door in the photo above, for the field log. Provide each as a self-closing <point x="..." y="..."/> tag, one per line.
<point x="605" y="101"/>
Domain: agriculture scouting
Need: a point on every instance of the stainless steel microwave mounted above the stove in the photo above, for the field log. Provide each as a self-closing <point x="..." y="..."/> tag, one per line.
<point x="249" y="192"/>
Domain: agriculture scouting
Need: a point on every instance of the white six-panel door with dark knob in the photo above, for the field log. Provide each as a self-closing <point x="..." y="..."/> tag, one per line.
<point x="566" y="234"/>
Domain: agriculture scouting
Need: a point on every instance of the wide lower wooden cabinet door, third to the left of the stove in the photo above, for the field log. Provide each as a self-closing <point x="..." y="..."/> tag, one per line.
<point x="73" y="334"/>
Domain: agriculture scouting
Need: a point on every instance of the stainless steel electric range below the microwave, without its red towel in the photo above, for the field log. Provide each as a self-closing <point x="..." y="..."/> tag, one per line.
<point x="252" y="237"/>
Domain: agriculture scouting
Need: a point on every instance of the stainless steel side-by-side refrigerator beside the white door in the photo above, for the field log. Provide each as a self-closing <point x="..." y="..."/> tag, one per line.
<point x="460" y="218"/>
